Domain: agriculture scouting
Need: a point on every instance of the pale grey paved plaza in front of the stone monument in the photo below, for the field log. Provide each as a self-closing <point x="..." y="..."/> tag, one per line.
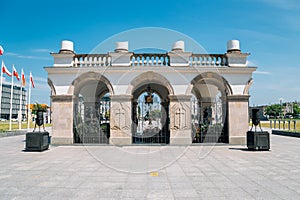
<point x="150" y="172"/>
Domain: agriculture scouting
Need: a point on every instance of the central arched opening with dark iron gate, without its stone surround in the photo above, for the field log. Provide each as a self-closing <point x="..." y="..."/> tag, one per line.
<point x="150" y="114"/>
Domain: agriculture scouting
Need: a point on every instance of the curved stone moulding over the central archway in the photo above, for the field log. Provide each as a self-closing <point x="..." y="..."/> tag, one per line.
<point x="150" y="77"/>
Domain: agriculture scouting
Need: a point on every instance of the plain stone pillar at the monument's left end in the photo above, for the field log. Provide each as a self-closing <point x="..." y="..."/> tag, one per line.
<point x="62" y="119"/>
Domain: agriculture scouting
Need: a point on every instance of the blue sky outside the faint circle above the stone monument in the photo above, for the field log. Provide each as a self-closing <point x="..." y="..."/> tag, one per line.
<point x="268" y="29"/>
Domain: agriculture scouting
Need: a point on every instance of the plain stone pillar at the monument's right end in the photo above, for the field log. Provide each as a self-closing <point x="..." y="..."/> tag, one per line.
<point x="238" y="115"/>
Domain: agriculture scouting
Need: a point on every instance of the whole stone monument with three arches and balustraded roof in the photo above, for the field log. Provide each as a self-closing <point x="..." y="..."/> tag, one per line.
<point x="175" y="98"/>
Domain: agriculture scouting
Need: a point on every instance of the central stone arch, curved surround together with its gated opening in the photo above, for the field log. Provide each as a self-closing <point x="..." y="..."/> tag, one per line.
<point x="150" y="84"/>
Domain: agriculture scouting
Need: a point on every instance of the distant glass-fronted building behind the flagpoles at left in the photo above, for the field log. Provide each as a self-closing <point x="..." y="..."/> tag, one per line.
<point x="5" y="101"/>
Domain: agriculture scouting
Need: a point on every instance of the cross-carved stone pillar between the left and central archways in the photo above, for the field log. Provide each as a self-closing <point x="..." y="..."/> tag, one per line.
<point x="120" y="120"/>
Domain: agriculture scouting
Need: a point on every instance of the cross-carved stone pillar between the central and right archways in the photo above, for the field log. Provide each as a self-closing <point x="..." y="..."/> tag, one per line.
<point x="180" y="120"/>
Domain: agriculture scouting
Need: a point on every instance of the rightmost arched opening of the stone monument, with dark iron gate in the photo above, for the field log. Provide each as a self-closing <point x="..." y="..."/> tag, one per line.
<point x="209" y="109"/>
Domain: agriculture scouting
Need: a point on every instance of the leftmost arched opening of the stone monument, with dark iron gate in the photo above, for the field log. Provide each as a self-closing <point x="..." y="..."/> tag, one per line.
<point x="91" y="109"/>
